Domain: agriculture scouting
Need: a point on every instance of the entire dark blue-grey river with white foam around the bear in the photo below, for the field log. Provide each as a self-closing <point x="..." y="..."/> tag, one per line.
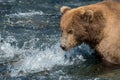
<point x="29" y="44"/>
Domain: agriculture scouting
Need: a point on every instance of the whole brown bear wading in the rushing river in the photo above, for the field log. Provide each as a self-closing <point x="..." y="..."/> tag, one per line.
<point x="97" y="25"/>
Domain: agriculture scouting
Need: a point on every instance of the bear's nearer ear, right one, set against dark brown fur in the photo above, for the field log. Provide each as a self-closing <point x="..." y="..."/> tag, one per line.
<point x="88" y="15"/>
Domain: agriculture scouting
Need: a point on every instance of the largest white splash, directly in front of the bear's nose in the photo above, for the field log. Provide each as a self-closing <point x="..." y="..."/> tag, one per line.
<point x="40" y="61"/>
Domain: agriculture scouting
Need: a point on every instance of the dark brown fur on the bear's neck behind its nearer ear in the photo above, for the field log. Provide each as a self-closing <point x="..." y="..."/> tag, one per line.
<point x="94" y="30"/>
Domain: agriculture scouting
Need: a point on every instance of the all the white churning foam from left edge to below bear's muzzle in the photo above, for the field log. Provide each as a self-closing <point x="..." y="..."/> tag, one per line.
<point x="31" y="60"/>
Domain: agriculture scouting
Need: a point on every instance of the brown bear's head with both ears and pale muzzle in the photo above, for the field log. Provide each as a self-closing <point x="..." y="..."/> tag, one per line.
<point x="75" y="26"/>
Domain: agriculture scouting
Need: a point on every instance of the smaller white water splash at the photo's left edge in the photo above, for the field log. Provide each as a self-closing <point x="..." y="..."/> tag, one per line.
<point x="7" y="52"/>
